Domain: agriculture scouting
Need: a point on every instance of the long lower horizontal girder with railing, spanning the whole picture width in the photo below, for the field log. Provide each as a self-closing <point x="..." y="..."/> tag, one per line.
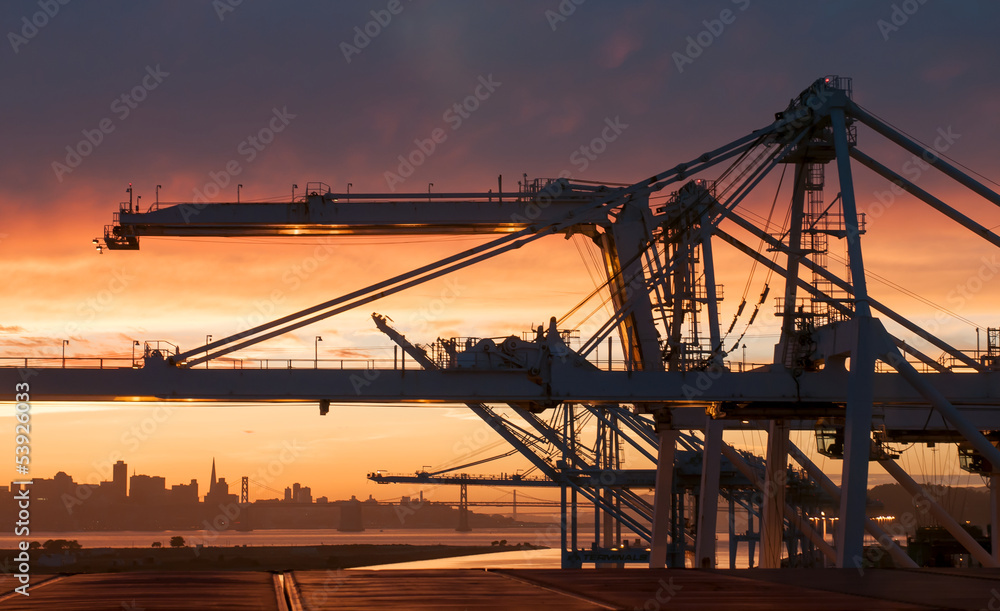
<point x="977" y="395"/>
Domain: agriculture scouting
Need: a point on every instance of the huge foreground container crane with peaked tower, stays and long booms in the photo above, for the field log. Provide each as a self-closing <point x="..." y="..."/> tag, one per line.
<point x="661" y="283"/>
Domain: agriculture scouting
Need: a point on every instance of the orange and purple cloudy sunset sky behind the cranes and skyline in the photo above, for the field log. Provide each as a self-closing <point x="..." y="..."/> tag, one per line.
<point x="171" y="93"/>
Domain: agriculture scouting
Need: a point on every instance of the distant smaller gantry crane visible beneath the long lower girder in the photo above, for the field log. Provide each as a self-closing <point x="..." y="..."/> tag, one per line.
<point x="736" y="488"/>
